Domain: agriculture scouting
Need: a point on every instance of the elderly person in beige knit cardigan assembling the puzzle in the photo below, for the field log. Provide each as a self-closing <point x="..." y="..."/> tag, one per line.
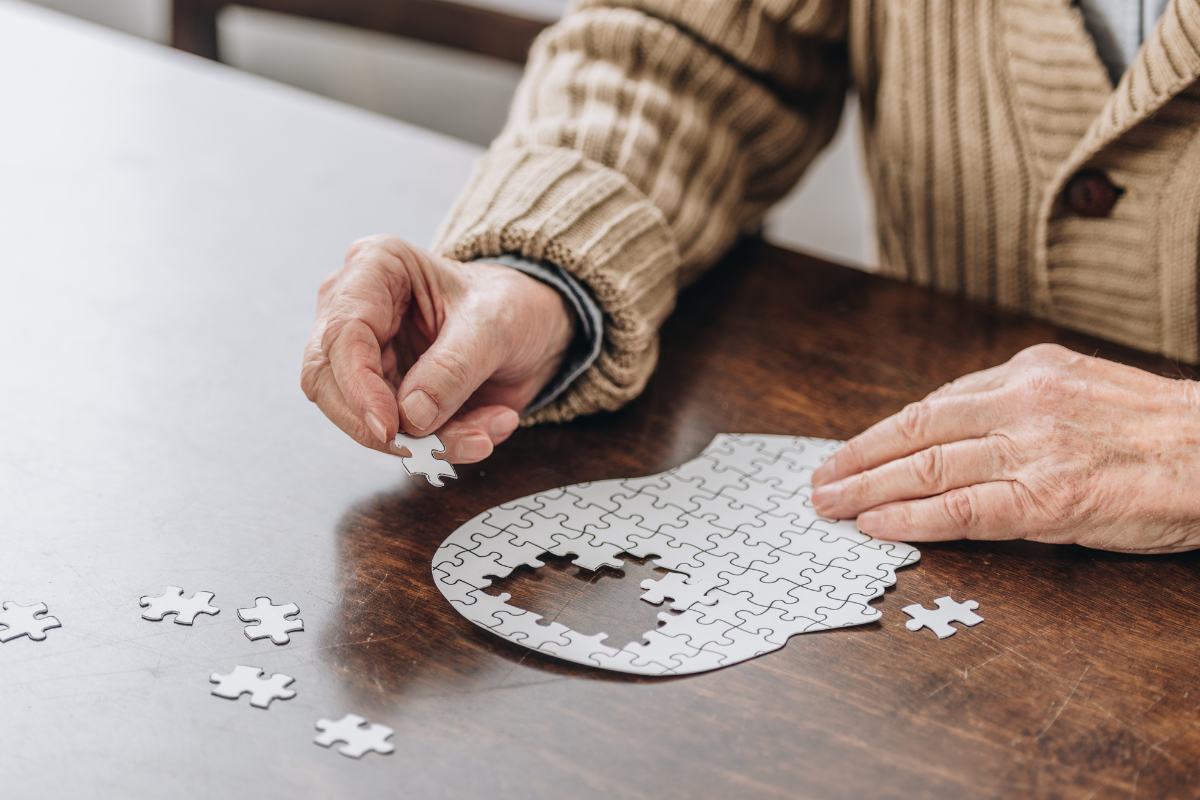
<point x="1042" y="157"/>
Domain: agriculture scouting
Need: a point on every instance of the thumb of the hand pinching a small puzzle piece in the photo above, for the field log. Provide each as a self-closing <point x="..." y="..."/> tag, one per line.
<point x="446" y="376"/>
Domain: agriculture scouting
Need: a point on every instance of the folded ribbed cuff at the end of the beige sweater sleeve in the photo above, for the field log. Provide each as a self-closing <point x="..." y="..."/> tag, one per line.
<point x="554" y="204"/>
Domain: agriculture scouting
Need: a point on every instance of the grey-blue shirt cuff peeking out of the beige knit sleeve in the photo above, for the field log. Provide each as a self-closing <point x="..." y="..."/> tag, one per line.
<point x="586" y="347"/>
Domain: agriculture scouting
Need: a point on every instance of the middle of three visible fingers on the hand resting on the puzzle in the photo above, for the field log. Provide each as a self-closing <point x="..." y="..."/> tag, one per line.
<point x="925" y="474"/>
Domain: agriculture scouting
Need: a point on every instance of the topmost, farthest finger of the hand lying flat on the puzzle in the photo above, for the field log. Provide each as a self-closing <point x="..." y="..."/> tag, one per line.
<point x="917" y="428"/>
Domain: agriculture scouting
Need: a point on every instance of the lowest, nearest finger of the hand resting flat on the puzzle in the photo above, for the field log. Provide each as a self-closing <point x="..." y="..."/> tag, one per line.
<point x="995" y="510"/>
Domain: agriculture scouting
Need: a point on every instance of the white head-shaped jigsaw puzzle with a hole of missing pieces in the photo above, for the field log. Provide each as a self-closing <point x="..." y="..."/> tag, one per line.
<point x="752" y="562"/>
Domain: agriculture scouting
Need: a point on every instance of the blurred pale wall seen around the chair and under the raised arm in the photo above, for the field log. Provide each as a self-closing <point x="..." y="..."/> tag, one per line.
<point x="467" y="97"/>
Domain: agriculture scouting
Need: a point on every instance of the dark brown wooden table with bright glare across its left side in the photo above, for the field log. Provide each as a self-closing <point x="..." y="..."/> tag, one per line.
<point x="154" y="434"/>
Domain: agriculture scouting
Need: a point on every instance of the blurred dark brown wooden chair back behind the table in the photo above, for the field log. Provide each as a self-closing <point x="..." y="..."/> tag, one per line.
<point x="466" y="28"/>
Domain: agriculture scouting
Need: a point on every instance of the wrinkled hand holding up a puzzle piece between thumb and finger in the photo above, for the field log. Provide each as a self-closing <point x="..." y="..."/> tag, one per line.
<point x="410" y="340"/>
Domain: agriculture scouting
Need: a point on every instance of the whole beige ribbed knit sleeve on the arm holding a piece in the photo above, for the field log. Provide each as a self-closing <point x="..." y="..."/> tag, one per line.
<point x="646" y="136"/>
